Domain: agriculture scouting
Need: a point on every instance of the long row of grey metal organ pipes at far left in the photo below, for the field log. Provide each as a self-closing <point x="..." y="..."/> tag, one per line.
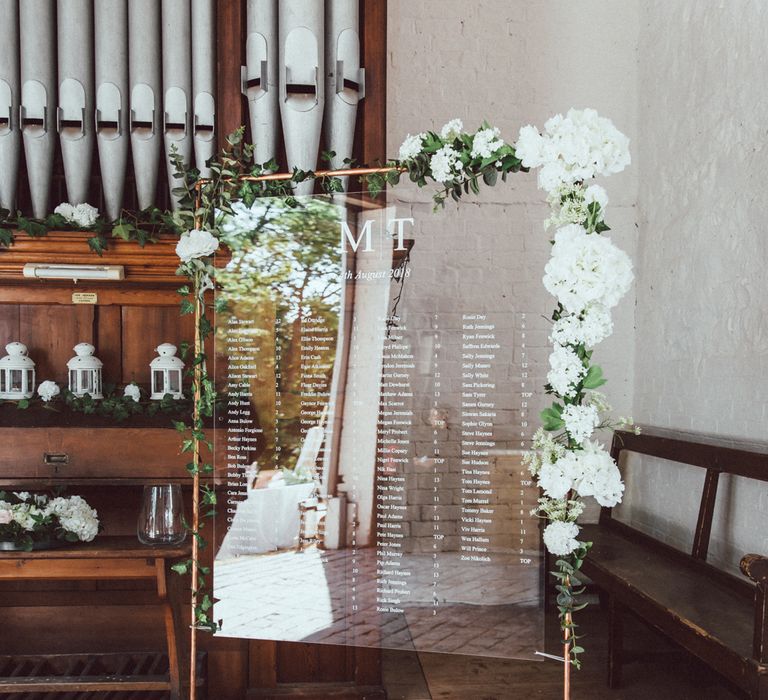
<point x="87" y="72"/>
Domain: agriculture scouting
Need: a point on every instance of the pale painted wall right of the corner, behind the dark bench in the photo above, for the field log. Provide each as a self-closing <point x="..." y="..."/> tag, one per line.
<point x="701" y="293"/>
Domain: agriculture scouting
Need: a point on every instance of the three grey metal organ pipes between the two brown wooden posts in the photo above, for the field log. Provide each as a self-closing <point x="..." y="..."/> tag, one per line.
<point x="304" y="55"/>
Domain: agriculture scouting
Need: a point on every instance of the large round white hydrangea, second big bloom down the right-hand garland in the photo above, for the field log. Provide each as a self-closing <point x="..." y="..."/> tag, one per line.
<point x="586" y="268"/>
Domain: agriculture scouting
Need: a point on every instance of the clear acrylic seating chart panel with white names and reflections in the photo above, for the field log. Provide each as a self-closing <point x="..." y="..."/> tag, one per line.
<point x="368" y="460"/>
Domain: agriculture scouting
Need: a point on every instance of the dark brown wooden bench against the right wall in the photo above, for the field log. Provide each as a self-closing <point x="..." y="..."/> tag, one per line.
<point x="718" y="617"/>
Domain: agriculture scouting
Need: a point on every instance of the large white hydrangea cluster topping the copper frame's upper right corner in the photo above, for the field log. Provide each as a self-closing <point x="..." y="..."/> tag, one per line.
<point x="573" y="148"/>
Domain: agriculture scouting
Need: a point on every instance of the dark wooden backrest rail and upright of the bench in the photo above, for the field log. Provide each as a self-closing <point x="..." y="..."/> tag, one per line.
<point x="717" y="456"/>
